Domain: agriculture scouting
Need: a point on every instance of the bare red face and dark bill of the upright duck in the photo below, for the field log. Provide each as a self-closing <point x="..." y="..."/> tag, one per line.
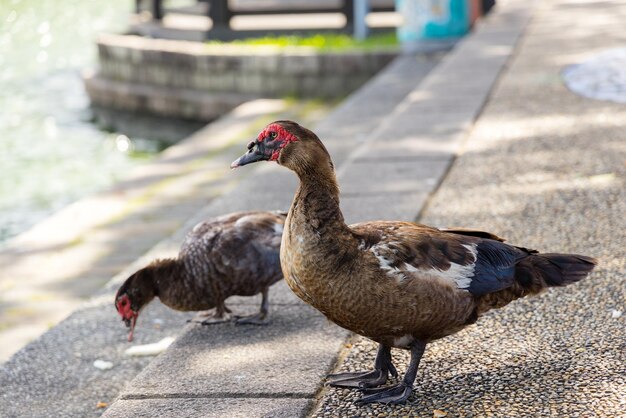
<point x="267" y="146"/>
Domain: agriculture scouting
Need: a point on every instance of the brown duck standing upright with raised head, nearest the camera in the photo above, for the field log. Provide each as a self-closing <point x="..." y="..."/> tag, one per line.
<point x="401" y="284"/>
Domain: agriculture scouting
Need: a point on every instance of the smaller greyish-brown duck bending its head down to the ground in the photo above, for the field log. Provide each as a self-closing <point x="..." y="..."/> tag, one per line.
<point x="234" y="254"/>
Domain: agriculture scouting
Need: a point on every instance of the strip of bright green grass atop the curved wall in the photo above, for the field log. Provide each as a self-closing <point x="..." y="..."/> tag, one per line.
<point x="320" y="41"/>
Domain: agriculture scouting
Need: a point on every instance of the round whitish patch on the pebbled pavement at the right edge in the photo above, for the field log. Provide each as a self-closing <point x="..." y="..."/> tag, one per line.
<point x="602" y="77"/>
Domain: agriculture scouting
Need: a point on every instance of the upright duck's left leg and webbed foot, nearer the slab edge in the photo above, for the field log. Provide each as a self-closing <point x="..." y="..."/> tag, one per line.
<point x="368" y="379"/>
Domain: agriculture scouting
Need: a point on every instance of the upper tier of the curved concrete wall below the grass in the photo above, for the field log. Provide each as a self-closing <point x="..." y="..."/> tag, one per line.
<point x="268" y="71"/>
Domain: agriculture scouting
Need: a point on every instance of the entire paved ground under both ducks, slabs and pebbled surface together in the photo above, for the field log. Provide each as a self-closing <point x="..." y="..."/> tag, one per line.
<point x="527" y="170"/>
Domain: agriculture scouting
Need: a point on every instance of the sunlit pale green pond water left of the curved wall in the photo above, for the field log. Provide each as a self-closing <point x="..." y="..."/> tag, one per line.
<point x="50" y="152"/>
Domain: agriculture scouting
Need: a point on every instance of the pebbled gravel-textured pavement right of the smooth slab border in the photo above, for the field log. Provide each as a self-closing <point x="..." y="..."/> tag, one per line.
<point x="545" y="169"/>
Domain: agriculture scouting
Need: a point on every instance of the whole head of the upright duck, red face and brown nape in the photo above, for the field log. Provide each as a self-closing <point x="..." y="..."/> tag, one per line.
<point x="289" y="144"/>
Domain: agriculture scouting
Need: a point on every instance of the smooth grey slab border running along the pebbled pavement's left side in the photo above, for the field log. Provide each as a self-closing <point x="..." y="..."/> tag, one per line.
<point x="255" y="372"/>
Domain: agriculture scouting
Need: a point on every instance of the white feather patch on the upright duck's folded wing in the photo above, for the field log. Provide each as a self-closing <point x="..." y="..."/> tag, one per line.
<point x="460" y="275"/>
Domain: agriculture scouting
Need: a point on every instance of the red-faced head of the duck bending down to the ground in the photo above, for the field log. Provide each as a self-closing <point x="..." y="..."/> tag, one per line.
<point x="136" y="292"/>
